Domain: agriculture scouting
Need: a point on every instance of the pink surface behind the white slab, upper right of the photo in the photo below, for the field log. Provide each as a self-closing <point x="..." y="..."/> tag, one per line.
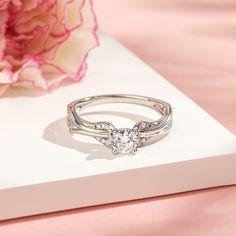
<point x="191" y="42"/>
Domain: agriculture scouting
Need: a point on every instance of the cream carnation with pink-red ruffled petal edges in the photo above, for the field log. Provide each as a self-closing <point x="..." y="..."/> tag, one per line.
<point x="44" y="42"/>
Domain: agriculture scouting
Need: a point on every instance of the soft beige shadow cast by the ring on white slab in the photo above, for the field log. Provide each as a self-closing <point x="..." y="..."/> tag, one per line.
<point x="57" y="133"/>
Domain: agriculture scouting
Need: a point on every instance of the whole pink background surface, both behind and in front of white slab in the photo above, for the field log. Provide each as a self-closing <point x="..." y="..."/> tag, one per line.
<point x="192" y="43"/>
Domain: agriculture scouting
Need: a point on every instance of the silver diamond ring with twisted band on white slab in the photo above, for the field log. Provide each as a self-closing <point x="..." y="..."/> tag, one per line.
<point x="123" y="140"/>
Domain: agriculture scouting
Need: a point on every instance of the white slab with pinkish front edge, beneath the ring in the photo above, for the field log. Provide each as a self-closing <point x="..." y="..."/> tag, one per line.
<point x="44" y="169"/>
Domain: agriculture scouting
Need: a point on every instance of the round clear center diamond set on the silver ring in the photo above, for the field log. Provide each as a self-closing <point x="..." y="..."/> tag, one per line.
<point x="125" y="141"/>
